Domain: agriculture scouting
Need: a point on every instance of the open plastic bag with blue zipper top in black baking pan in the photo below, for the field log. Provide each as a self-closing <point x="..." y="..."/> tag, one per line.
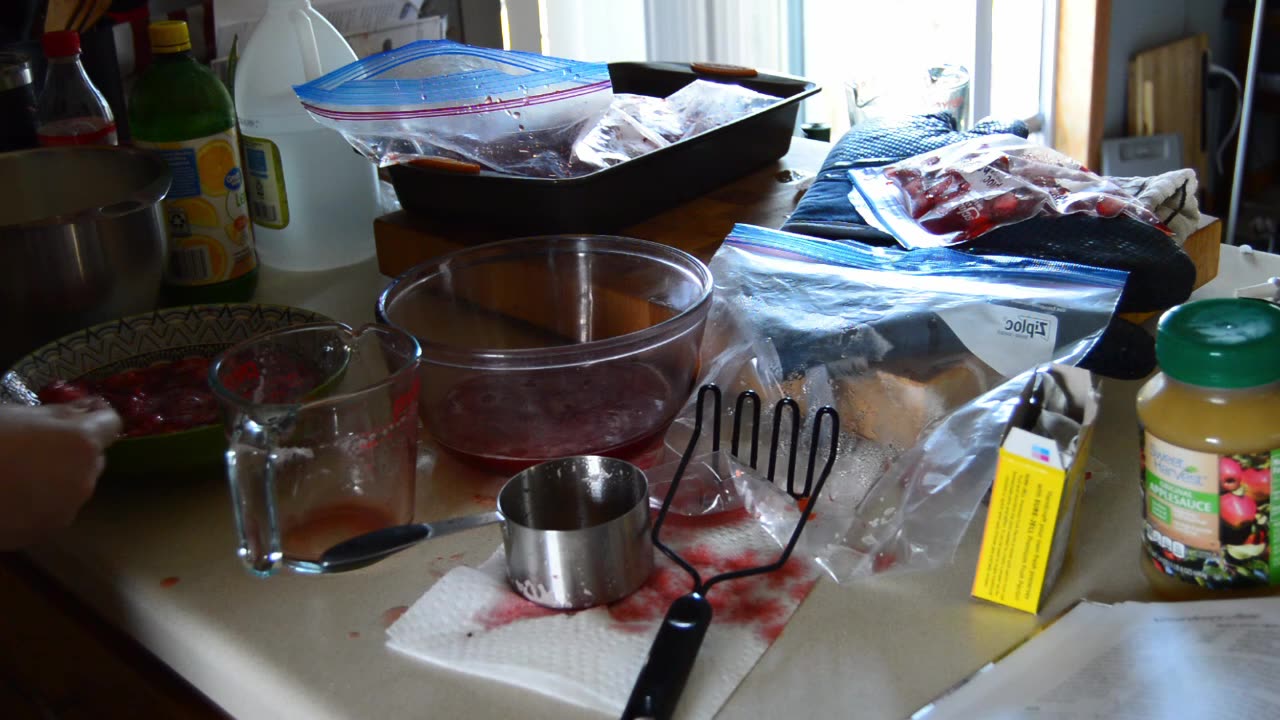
<point x="508" y="111"/>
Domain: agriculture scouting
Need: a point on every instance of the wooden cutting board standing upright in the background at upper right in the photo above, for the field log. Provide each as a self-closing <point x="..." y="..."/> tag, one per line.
<point x="1167" y="94"/>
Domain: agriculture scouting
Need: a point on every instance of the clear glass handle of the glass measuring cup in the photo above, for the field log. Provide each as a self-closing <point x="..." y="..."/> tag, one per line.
<point x="252" y="475"/>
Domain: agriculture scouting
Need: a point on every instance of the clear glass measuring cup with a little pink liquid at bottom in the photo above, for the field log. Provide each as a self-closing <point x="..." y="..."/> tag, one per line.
<point x="322" y="425"/>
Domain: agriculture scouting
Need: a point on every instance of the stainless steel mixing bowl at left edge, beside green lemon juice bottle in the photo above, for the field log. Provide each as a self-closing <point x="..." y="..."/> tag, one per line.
<point x="83" y="240"/>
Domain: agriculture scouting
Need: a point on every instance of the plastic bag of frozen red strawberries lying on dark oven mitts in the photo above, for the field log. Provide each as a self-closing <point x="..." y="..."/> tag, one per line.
<point x="964" y="190"/>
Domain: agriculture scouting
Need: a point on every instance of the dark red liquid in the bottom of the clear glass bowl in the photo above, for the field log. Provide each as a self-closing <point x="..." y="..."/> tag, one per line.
<point x="509" y="421"/>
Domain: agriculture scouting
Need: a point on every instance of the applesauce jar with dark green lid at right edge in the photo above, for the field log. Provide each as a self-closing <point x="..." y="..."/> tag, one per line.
<point x="1210" y="448"/>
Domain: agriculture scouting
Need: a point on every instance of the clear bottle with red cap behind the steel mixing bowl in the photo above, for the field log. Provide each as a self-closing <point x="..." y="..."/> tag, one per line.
<point x="71" y="112"/>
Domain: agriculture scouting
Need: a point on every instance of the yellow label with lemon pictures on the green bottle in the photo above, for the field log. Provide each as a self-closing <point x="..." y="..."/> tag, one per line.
<point x="207" y="209"/>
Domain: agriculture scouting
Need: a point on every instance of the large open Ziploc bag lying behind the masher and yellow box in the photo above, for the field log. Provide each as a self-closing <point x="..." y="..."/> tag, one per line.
<point x="924" y="354"/>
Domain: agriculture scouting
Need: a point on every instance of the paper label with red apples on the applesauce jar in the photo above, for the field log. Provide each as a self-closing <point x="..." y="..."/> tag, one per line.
<point x="1208" y="518"/>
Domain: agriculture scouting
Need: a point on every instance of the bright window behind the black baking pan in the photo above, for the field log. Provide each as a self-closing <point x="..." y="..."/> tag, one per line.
<point x="1007" y="45"/>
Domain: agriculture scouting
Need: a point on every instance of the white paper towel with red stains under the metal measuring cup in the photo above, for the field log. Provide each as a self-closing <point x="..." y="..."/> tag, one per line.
<point x="474" y="623"/>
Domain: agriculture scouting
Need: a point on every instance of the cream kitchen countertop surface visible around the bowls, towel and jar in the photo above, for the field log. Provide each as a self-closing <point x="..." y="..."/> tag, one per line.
<point x="159" y="563"/>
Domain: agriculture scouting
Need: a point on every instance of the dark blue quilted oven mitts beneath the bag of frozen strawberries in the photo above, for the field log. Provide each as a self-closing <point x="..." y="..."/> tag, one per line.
<point x="1160" y="274"/>
